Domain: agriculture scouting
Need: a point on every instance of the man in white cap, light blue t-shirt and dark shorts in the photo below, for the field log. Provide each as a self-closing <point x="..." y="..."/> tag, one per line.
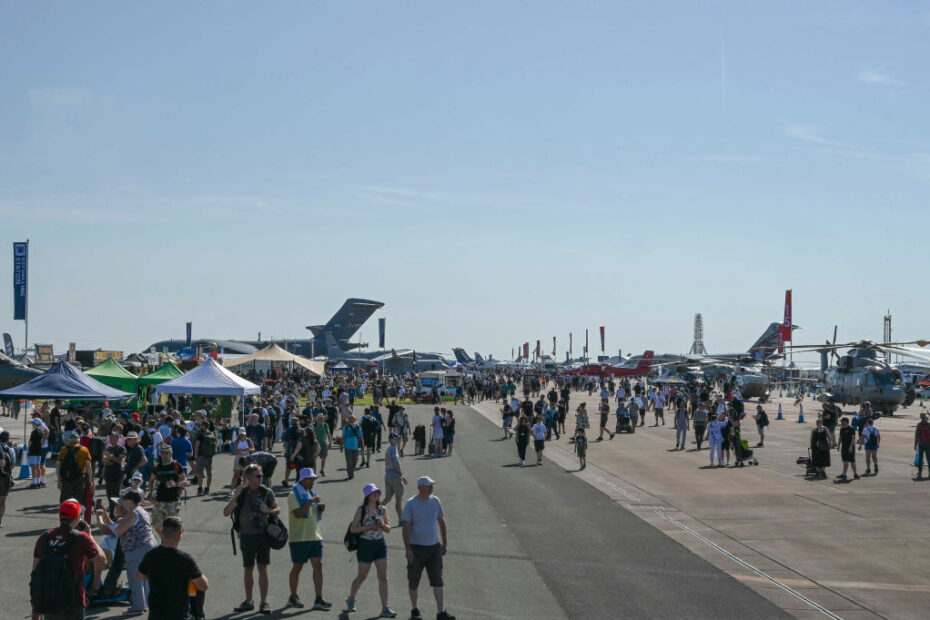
<point x="425" y="542"/>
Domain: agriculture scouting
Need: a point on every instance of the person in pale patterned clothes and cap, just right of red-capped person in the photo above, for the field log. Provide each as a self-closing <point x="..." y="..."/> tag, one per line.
<point x="134" y="530"/>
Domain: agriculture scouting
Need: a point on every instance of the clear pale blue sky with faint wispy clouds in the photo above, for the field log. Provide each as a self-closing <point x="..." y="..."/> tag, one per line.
<point x="495" y="172"/>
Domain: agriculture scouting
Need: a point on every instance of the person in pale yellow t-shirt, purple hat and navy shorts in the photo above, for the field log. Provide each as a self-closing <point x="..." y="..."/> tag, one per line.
<point x="305" y="510"/>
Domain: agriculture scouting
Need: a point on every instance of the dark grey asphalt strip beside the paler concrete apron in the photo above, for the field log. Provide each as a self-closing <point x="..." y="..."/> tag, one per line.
<point x="524" y="542"/>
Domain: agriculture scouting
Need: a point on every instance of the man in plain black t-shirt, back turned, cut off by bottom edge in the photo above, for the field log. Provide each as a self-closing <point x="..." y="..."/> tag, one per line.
<point x="170" y="571"/>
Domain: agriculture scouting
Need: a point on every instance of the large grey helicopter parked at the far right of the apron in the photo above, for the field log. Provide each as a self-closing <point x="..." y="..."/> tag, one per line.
<point x="863" y="375"/>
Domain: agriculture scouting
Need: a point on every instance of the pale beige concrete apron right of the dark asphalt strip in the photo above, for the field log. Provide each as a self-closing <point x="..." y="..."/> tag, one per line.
<point x="814" y="548"/>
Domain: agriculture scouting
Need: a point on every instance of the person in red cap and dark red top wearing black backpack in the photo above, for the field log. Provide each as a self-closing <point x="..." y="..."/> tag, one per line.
<point x="56" y="585"/>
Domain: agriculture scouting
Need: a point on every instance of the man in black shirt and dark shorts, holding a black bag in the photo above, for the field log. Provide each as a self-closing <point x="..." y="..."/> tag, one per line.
<point x="250" y="506"/>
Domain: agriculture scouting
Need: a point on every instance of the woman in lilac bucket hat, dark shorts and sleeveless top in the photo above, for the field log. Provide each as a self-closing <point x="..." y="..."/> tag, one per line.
<point x="371" y="523"/>
